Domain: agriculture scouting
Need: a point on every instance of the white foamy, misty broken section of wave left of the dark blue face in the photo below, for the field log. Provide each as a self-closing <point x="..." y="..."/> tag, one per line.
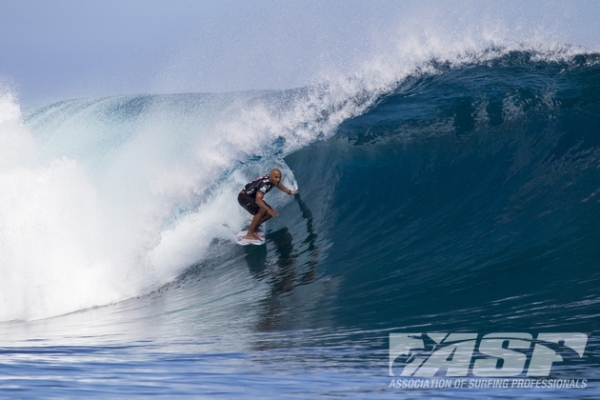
<point x="115" y="197"/>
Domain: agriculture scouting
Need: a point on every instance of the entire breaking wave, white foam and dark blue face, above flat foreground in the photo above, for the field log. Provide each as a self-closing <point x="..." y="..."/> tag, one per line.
<point x="468" y="186"/>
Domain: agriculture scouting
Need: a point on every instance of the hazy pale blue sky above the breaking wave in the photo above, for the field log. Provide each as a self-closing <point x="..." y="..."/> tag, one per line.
<point x="52" y="50"/>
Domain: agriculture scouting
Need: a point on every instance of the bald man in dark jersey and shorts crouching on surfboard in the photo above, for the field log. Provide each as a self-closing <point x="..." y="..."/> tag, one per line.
<point x="251" y="199"/>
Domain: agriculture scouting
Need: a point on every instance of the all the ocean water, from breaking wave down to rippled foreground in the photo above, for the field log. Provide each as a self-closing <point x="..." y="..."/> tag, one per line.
<point x="459" y="194"/>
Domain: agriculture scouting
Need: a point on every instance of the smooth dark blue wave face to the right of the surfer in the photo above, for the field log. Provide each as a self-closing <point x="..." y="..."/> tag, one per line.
<point x="466" y="199"/>
